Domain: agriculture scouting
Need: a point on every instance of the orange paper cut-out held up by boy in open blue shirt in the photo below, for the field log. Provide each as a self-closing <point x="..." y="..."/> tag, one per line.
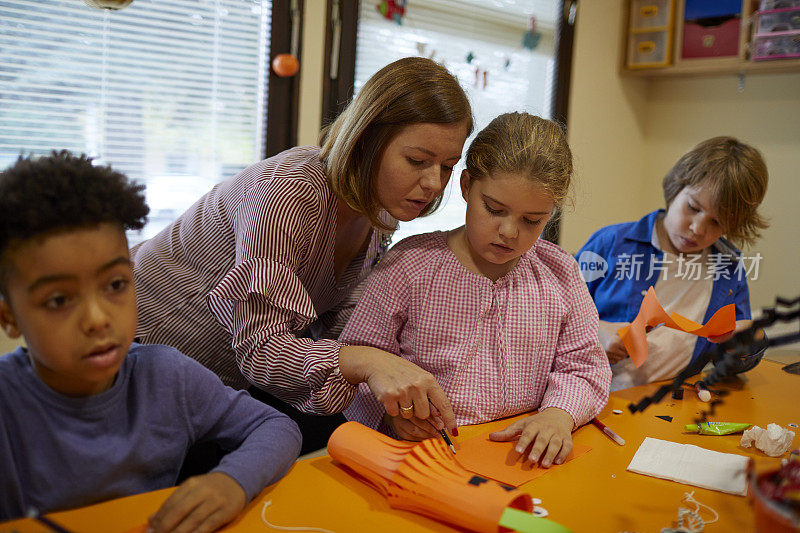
<point x="634" y="335"/>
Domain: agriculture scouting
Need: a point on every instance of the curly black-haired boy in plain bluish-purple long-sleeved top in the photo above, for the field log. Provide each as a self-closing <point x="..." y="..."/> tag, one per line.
<point x="86" y="414"/>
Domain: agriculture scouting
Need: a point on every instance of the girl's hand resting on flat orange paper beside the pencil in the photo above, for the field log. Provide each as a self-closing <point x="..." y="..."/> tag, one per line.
<point x="549" y="430"/>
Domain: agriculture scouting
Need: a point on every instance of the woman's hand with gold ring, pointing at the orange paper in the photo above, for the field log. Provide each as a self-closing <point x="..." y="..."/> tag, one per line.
<point x="404" y="389"/>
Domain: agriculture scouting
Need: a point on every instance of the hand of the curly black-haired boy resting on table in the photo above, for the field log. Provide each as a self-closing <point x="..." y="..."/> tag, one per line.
<point x="202" y="503"/>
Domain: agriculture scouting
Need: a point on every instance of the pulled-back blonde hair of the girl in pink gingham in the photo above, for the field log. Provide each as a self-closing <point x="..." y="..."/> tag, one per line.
<point x="520" y="143"/>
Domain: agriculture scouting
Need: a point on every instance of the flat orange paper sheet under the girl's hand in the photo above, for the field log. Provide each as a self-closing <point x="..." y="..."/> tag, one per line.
<point x="499" y="460"/>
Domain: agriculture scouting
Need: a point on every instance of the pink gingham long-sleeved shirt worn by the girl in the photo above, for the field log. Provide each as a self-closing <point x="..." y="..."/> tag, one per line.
<point x="527" y="341"/>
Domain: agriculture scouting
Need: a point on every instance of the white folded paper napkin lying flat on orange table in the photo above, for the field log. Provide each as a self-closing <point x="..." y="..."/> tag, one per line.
<point x="686" y="463"/>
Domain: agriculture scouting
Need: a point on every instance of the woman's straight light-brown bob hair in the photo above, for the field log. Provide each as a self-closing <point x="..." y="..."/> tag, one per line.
<point x="412" y="90"/>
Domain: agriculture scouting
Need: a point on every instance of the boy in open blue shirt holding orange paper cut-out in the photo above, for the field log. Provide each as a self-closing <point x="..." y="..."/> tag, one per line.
<point x="713" y="190"/>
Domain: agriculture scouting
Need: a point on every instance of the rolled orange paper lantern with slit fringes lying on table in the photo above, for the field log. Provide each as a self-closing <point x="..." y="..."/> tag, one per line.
<point x="423" y="477"/>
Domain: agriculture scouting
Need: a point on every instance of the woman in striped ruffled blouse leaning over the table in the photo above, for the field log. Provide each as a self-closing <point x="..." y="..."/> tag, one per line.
<point x="258" y="277"/>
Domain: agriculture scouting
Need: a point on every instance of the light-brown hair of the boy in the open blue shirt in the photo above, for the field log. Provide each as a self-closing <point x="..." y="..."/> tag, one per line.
<point x="737" y="176"/>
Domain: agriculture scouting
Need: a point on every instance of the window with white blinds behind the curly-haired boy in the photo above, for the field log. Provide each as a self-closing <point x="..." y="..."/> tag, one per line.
<point x="172" y="93"/>
